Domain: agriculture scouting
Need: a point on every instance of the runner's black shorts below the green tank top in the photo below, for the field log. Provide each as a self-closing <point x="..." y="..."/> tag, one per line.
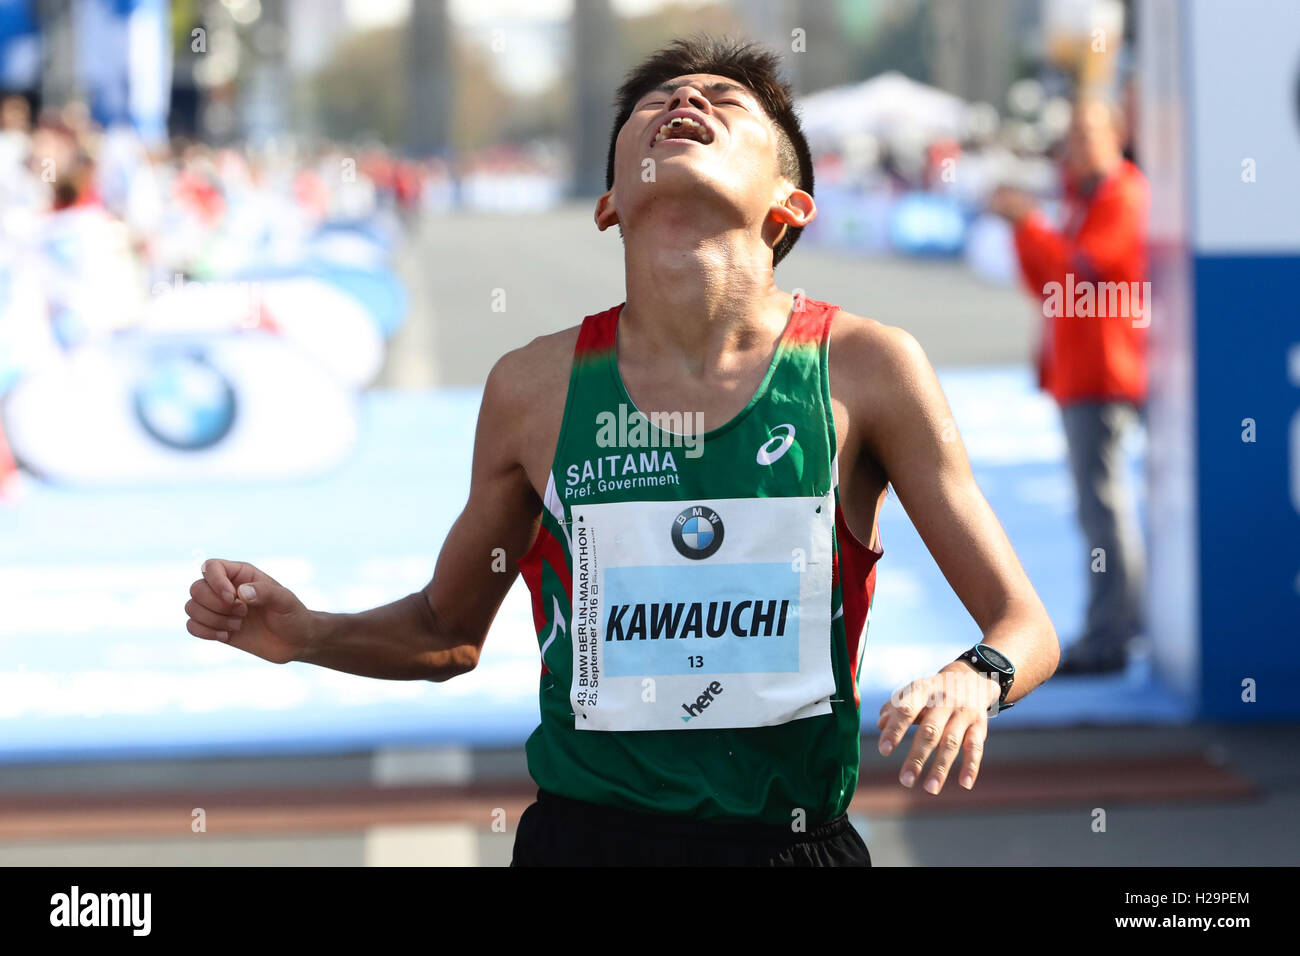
<point x="560" y="832"/>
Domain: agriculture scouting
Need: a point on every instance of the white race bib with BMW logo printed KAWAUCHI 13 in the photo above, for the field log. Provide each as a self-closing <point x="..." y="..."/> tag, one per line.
<point x="701" y="616"/>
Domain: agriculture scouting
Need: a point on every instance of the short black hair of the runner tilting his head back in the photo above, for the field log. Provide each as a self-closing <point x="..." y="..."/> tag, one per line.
<point x="748" y="63"/>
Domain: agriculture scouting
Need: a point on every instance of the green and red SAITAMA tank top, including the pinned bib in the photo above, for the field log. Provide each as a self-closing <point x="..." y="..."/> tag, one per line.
<point x="701" y="605"/>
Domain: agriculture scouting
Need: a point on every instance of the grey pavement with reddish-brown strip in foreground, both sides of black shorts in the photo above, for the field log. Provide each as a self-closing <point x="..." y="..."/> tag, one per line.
<point x="411" y="807"/>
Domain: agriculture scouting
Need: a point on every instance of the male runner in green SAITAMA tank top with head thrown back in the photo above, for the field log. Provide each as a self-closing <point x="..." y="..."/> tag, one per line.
<point x="700" y="591"/>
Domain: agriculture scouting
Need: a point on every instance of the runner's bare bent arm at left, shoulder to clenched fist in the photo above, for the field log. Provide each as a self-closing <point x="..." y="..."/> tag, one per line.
<point x="434" y="634"/>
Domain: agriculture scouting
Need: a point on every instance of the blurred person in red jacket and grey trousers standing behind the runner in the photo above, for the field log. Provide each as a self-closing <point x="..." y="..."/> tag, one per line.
<point x="1091" y="276"/>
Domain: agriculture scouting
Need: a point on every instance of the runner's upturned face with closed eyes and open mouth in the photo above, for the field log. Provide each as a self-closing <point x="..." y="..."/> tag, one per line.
<point x="726" y="148"/>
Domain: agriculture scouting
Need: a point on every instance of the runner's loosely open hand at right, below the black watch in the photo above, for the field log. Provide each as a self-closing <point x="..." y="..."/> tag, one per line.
<point x="951" y="712"/>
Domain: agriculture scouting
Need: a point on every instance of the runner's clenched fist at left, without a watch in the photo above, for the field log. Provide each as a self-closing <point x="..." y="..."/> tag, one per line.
<point x="237" y="604"/>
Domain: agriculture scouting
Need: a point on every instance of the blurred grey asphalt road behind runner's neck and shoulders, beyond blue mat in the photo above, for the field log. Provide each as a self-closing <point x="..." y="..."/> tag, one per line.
<point x="483" y="283"/>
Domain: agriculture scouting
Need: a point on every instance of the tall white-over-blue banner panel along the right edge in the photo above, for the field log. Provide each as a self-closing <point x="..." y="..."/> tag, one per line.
<point x="1221" y="144"/>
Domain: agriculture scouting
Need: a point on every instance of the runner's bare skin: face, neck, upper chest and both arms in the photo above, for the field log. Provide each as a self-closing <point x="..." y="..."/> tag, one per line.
<point x="697" y="334"/>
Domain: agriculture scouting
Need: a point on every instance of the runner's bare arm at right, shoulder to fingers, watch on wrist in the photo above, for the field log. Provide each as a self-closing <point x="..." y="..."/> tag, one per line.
<point x="909" y="430"/>
